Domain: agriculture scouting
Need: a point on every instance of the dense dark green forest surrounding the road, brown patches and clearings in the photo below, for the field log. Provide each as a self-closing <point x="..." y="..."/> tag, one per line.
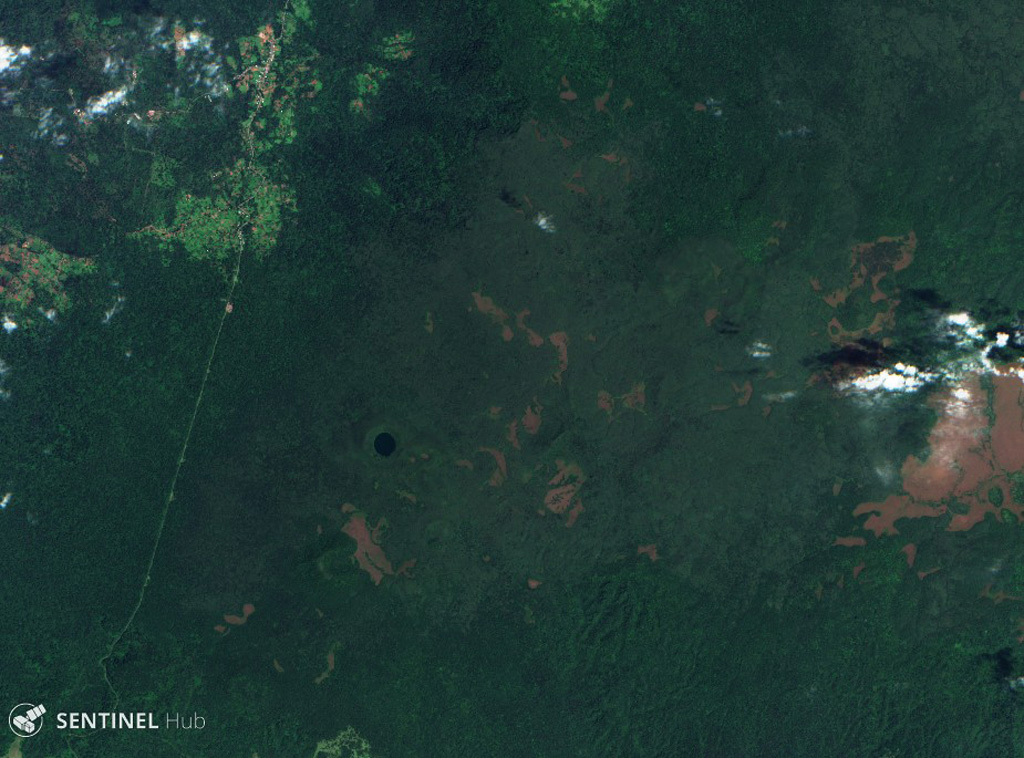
<point x="720" y="649"/>
